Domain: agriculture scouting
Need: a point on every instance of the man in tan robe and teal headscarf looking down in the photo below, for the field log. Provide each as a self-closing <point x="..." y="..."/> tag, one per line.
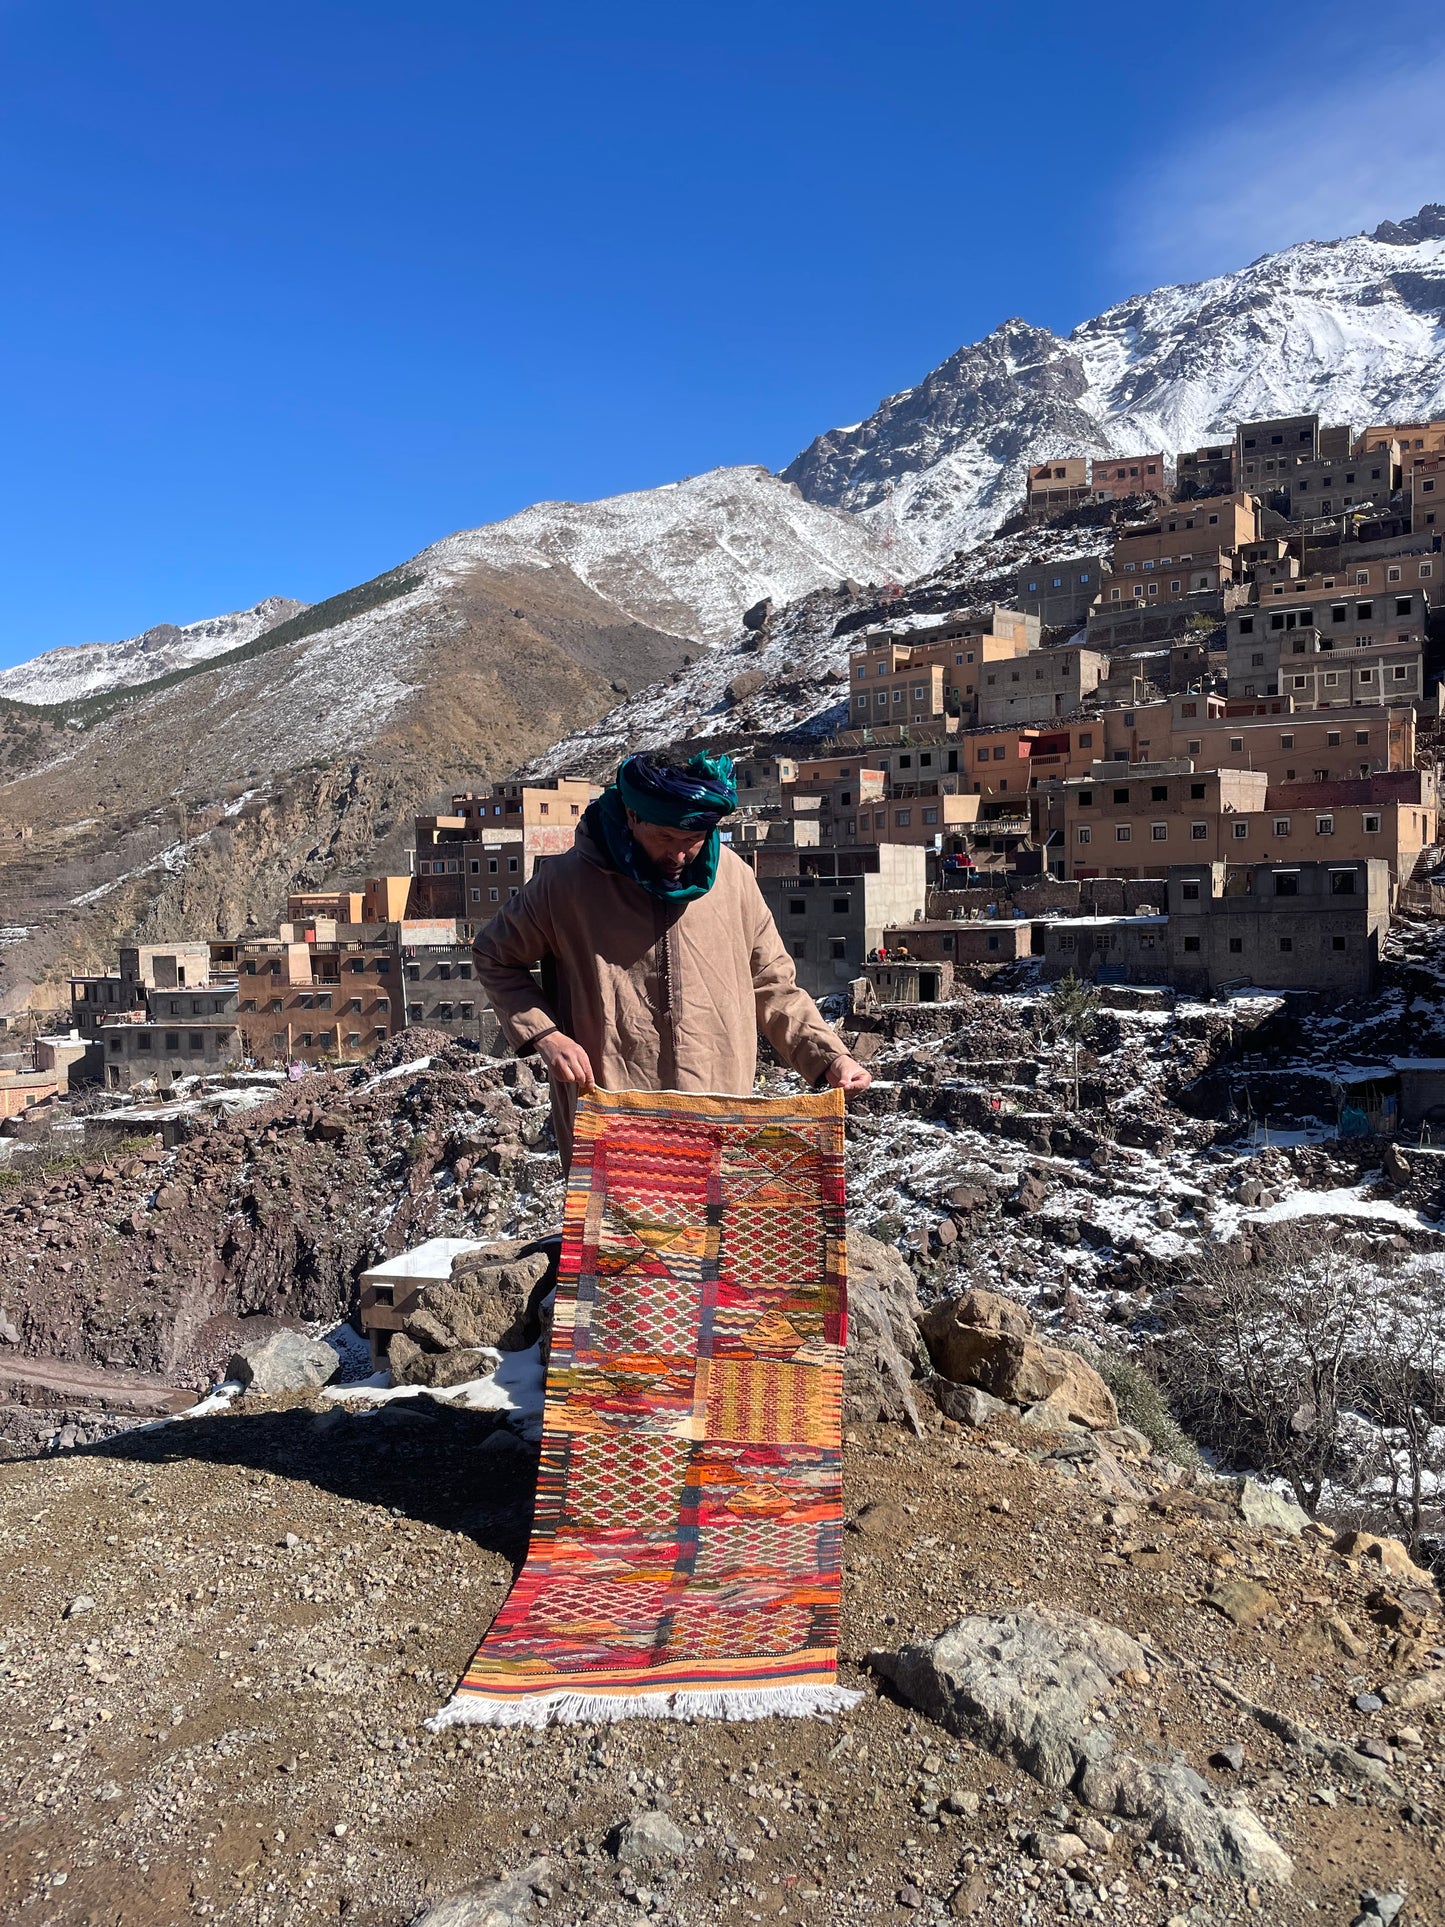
<point x="660" y="959"/>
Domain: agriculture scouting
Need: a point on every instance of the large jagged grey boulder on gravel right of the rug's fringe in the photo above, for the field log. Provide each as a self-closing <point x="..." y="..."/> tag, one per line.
<point x="1026" y="1687"/>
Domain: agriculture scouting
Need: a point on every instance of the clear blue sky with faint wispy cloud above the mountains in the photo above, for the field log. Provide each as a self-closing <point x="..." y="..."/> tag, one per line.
<point x="292" y="290"/>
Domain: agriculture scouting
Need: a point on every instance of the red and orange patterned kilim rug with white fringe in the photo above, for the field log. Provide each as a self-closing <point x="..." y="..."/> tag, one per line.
<point x="687" y="1541"/>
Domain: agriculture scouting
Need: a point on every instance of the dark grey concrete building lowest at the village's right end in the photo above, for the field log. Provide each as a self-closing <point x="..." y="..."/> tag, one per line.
<point x="1311" y="926"/>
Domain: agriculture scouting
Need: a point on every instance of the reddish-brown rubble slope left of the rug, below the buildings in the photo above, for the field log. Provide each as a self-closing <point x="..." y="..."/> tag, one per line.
<point x="163" y="1259"/>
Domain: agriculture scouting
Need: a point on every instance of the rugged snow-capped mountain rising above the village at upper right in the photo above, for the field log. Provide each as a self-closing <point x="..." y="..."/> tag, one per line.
<point x="1353" y="329"/>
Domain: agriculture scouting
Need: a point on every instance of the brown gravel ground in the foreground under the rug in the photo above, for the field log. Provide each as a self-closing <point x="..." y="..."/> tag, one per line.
<point x="223" y="1637"/>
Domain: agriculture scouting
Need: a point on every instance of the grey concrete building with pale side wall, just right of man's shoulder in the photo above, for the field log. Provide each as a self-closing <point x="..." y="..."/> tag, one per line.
<point x="831" y="922"/>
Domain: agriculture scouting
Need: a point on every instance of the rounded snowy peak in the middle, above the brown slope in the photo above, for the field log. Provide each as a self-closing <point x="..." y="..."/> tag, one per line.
<point x="691" y="556"/>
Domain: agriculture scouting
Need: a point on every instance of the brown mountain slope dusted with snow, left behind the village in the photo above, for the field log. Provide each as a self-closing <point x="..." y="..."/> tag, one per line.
<point x="194" y="805"/>
